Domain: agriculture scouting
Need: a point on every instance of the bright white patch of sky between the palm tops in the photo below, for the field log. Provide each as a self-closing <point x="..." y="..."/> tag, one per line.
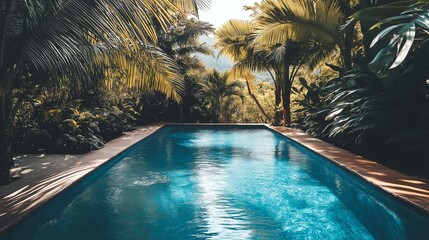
<point x="222" y="10"/>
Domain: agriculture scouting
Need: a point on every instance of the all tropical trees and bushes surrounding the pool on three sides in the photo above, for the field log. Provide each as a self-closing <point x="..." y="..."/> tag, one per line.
<point x="351" y="72"/>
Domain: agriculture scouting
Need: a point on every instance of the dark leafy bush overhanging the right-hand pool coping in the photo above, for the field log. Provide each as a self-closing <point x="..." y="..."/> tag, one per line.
<point x="358" y="112"/>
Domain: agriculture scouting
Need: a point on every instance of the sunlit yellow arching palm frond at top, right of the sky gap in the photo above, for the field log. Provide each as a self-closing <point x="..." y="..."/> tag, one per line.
<point x="279" y="21"/>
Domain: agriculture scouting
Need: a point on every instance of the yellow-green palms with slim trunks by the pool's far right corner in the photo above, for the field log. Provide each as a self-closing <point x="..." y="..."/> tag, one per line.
<point x="273" y="42"/>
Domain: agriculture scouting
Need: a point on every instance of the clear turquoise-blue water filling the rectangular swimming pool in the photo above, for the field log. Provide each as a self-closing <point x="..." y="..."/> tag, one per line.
<point x="222" y="183"/>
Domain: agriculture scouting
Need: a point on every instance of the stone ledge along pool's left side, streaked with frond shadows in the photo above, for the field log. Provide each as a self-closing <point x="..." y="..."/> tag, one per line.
<point x="44" y="184"/>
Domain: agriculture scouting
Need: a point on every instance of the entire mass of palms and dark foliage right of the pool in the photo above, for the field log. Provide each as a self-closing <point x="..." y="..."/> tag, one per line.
<point x="373" y="99"/>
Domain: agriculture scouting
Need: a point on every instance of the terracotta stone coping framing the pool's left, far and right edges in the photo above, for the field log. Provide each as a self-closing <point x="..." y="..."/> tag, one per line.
<point x="23" y="201"/>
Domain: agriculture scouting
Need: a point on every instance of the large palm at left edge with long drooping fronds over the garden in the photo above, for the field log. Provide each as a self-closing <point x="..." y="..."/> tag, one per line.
<point x="79" y="40"/>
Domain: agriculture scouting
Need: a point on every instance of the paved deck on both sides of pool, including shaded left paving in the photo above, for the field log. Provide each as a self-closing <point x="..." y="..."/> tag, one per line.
<point x="41" y="177"/>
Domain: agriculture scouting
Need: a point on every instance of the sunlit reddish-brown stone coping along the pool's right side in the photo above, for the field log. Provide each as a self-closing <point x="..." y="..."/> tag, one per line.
<point x="409" y="189"/>
